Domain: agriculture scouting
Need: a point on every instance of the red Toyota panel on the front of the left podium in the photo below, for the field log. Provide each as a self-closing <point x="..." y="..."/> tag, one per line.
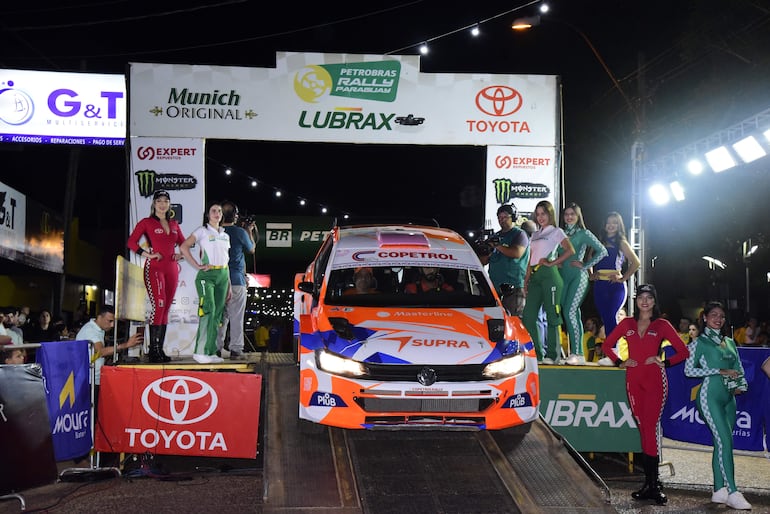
<point x="175" y="412"/>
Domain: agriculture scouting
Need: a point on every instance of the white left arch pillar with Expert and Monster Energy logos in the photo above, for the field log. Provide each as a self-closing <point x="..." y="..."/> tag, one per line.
<point x="177" y="166"/>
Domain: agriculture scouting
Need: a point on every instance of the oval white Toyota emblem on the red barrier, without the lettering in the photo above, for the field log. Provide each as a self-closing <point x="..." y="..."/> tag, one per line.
<point x="179" y="400"/>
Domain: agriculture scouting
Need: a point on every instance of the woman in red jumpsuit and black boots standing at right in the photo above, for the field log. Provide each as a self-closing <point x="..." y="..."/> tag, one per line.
<point x="646" y="380"/>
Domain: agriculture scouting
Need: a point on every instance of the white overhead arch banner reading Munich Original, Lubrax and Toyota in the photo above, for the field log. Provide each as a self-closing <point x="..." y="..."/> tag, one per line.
<point x="343" y="98"/>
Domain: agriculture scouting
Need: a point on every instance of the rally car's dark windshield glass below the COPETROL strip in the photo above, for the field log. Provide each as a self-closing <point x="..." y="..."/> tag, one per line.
<point x="408" y="286"/>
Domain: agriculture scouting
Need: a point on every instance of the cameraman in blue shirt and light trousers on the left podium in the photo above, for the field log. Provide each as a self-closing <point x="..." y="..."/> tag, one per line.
<point x="241" y="241"/>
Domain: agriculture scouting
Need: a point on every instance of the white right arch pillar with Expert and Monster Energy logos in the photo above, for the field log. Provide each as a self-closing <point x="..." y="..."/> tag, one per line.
<point x="522" y="176"/>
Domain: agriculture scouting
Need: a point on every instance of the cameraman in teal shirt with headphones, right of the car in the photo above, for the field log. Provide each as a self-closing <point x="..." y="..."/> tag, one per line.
<point x="507" y="253"/>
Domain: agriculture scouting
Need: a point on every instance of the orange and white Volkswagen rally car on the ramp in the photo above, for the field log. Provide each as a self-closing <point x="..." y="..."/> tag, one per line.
<point x="423" y="341"/>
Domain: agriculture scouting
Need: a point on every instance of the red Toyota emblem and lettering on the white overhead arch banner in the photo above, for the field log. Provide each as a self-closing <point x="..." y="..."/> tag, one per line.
<point x="498" y="102"/>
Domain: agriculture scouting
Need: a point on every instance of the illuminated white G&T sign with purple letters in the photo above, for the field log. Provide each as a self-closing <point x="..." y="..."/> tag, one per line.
<point x="42" y="107"/>
